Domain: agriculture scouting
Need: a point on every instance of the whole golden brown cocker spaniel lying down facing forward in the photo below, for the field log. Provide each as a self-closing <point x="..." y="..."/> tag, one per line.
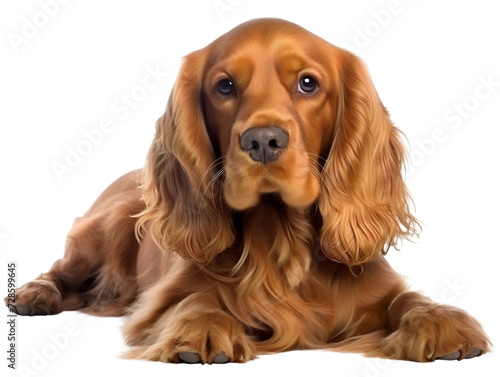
<point x="271" y="193"/>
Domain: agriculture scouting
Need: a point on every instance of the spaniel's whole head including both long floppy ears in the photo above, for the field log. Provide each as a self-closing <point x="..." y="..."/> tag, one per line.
<point x="270" y="108"/>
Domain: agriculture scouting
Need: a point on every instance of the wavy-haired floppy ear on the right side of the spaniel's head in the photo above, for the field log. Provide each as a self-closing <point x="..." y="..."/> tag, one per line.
<point x="364" y="203"/>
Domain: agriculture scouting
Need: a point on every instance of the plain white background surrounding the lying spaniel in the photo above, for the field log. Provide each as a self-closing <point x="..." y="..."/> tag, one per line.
<point x="429" y="61"/>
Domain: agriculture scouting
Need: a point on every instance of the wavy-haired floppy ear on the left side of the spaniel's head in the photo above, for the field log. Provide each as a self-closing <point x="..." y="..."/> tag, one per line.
<point x="182" y="213"/>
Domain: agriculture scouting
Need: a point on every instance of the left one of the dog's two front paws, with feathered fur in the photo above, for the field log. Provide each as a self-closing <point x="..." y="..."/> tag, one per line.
<point x="195" y="330"/>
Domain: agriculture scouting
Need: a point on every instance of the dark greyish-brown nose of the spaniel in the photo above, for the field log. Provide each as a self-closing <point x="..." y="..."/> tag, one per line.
<point x="264" y="144"/>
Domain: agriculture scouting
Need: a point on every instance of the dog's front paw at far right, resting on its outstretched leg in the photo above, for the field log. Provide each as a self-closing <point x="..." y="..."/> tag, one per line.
<point x="434" y="331"/>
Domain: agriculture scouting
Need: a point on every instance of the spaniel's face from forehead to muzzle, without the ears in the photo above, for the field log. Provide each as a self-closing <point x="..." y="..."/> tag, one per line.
<point x="269" y="105"/>
